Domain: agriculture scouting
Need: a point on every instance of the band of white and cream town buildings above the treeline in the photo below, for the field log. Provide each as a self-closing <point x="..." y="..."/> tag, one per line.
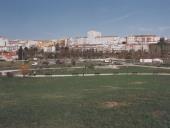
<point x="93" y="40"/>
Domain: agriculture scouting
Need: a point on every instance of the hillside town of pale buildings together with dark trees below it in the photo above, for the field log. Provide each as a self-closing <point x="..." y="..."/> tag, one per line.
<point x="94" y="45"/>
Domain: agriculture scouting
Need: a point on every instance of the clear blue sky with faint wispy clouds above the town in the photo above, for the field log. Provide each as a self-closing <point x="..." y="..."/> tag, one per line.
<point x="52" y="19"/>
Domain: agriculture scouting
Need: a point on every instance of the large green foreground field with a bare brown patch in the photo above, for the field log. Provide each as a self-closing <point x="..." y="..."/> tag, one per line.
<point x="85" y="102"/>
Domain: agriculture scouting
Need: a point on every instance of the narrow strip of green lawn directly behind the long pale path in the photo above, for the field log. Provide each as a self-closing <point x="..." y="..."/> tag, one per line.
<point x="122" y="69"/>
